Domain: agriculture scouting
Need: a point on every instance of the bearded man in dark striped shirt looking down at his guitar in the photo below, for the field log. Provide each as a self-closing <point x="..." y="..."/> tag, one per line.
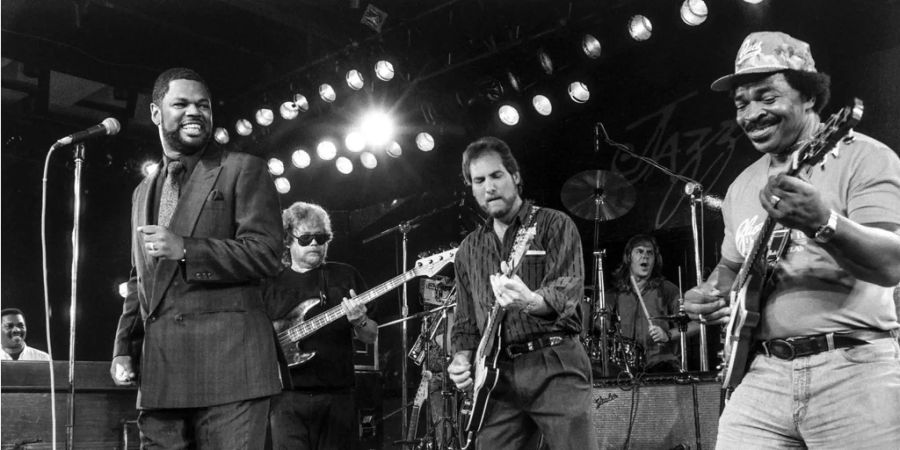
<point x="544" y="383"/>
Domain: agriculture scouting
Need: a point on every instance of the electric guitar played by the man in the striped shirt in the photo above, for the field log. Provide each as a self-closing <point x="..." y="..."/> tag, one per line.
<point x="486" y="372"/>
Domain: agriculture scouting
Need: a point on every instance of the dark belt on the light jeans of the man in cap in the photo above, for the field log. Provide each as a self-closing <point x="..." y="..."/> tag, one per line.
<point x="796" y="347"/>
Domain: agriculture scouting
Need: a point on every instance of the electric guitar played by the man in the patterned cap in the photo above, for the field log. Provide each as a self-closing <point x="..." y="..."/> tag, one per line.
<point x="754" y="277"/>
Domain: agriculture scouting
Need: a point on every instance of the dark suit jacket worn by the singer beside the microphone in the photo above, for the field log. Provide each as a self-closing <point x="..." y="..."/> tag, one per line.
<point x="199" y="327"/>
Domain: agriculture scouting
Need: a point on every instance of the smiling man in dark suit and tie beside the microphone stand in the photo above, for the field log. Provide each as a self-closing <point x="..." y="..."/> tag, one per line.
<point x="193" y="333"/>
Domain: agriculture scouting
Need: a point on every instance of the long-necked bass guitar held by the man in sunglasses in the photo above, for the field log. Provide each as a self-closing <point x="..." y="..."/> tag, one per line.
<point x="300" y="328"/>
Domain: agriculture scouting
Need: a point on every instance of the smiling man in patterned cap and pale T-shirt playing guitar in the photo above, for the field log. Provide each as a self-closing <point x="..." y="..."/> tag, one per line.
<point x="823" y="364"/>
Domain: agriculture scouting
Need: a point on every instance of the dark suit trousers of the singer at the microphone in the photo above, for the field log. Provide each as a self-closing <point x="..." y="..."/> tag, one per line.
<point x="232" y="426"/>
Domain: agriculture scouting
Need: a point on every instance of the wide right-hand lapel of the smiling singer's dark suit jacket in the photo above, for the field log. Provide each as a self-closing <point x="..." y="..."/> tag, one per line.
<point x="184" y="219"/>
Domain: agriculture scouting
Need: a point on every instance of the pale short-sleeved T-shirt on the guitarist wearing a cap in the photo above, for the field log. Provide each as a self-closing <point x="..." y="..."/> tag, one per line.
<point x="813" y="294"/>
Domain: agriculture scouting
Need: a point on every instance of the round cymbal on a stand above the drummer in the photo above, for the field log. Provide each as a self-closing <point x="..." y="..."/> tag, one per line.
<point x="597" y="195"/>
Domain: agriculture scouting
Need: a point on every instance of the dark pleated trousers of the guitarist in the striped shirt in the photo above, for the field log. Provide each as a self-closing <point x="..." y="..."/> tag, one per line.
<point x="546" y="391"/>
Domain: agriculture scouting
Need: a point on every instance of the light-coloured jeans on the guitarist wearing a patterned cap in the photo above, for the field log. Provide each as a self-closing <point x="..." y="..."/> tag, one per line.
<point x="843" y="399"/>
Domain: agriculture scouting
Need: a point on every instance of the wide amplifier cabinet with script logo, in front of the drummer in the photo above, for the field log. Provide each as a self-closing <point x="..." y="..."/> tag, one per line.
<point x="657" y="416"/>
